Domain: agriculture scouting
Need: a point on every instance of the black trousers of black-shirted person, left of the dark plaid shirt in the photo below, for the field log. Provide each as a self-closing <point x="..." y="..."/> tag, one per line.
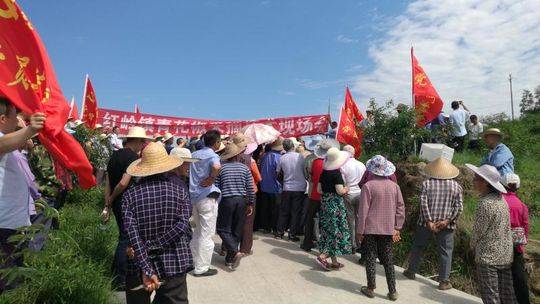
<point x="119" y="266"/>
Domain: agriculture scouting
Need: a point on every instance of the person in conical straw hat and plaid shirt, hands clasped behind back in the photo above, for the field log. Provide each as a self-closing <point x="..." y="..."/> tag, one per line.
<point x="441" y="203"/>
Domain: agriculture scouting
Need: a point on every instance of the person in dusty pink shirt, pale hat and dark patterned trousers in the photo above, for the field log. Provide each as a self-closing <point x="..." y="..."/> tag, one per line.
<point x="380" y="218"/>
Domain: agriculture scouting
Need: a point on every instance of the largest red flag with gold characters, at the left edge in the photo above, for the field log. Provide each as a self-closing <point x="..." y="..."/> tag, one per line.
<point x="28" y="80"/>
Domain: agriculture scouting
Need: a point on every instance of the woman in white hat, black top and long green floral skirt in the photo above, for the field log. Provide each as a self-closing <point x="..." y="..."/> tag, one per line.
<point x="335" y="238"/>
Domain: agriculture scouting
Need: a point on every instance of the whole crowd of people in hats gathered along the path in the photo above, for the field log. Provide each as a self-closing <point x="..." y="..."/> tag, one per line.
<point x="170" y="200"/>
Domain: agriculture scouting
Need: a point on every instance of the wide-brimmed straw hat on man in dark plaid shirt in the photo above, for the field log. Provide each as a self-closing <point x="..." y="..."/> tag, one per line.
<point x="154" y="160"/>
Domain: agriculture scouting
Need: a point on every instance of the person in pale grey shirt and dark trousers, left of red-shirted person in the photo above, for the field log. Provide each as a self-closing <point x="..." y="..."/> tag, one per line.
<point x="291" y="167"/>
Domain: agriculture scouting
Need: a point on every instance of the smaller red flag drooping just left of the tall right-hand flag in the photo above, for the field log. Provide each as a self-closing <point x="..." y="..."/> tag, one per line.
<point x="349" y="131"/>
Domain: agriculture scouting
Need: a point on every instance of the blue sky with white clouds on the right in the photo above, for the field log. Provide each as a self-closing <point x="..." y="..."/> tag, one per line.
<point x="256" y="59"/>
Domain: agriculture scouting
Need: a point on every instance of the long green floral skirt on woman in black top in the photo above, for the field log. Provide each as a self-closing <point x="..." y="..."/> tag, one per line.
<point x="335" y="237"/>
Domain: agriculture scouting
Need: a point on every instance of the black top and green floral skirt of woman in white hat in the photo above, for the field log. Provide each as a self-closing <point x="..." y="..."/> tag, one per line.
<point x="335" y="237"/>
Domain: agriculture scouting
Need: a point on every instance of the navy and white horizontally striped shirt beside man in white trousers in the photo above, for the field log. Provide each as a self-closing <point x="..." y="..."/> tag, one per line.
<point x="235" y="179"/>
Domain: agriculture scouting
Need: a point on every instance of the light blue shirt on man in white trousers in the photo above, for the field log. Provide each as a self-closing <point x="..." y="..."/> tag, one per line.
<point x="200" y="171"/>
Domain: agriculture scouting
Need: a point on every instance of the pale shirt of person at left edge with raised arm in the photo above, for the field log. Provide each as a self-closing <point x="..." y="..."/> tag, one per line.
<point x="14" y="193"/>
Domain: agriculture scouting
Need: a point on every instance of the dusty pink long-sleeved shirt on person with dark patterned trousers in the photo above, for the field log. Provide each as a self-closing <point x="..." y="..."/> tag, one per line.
<point x="381" y="208"/>
